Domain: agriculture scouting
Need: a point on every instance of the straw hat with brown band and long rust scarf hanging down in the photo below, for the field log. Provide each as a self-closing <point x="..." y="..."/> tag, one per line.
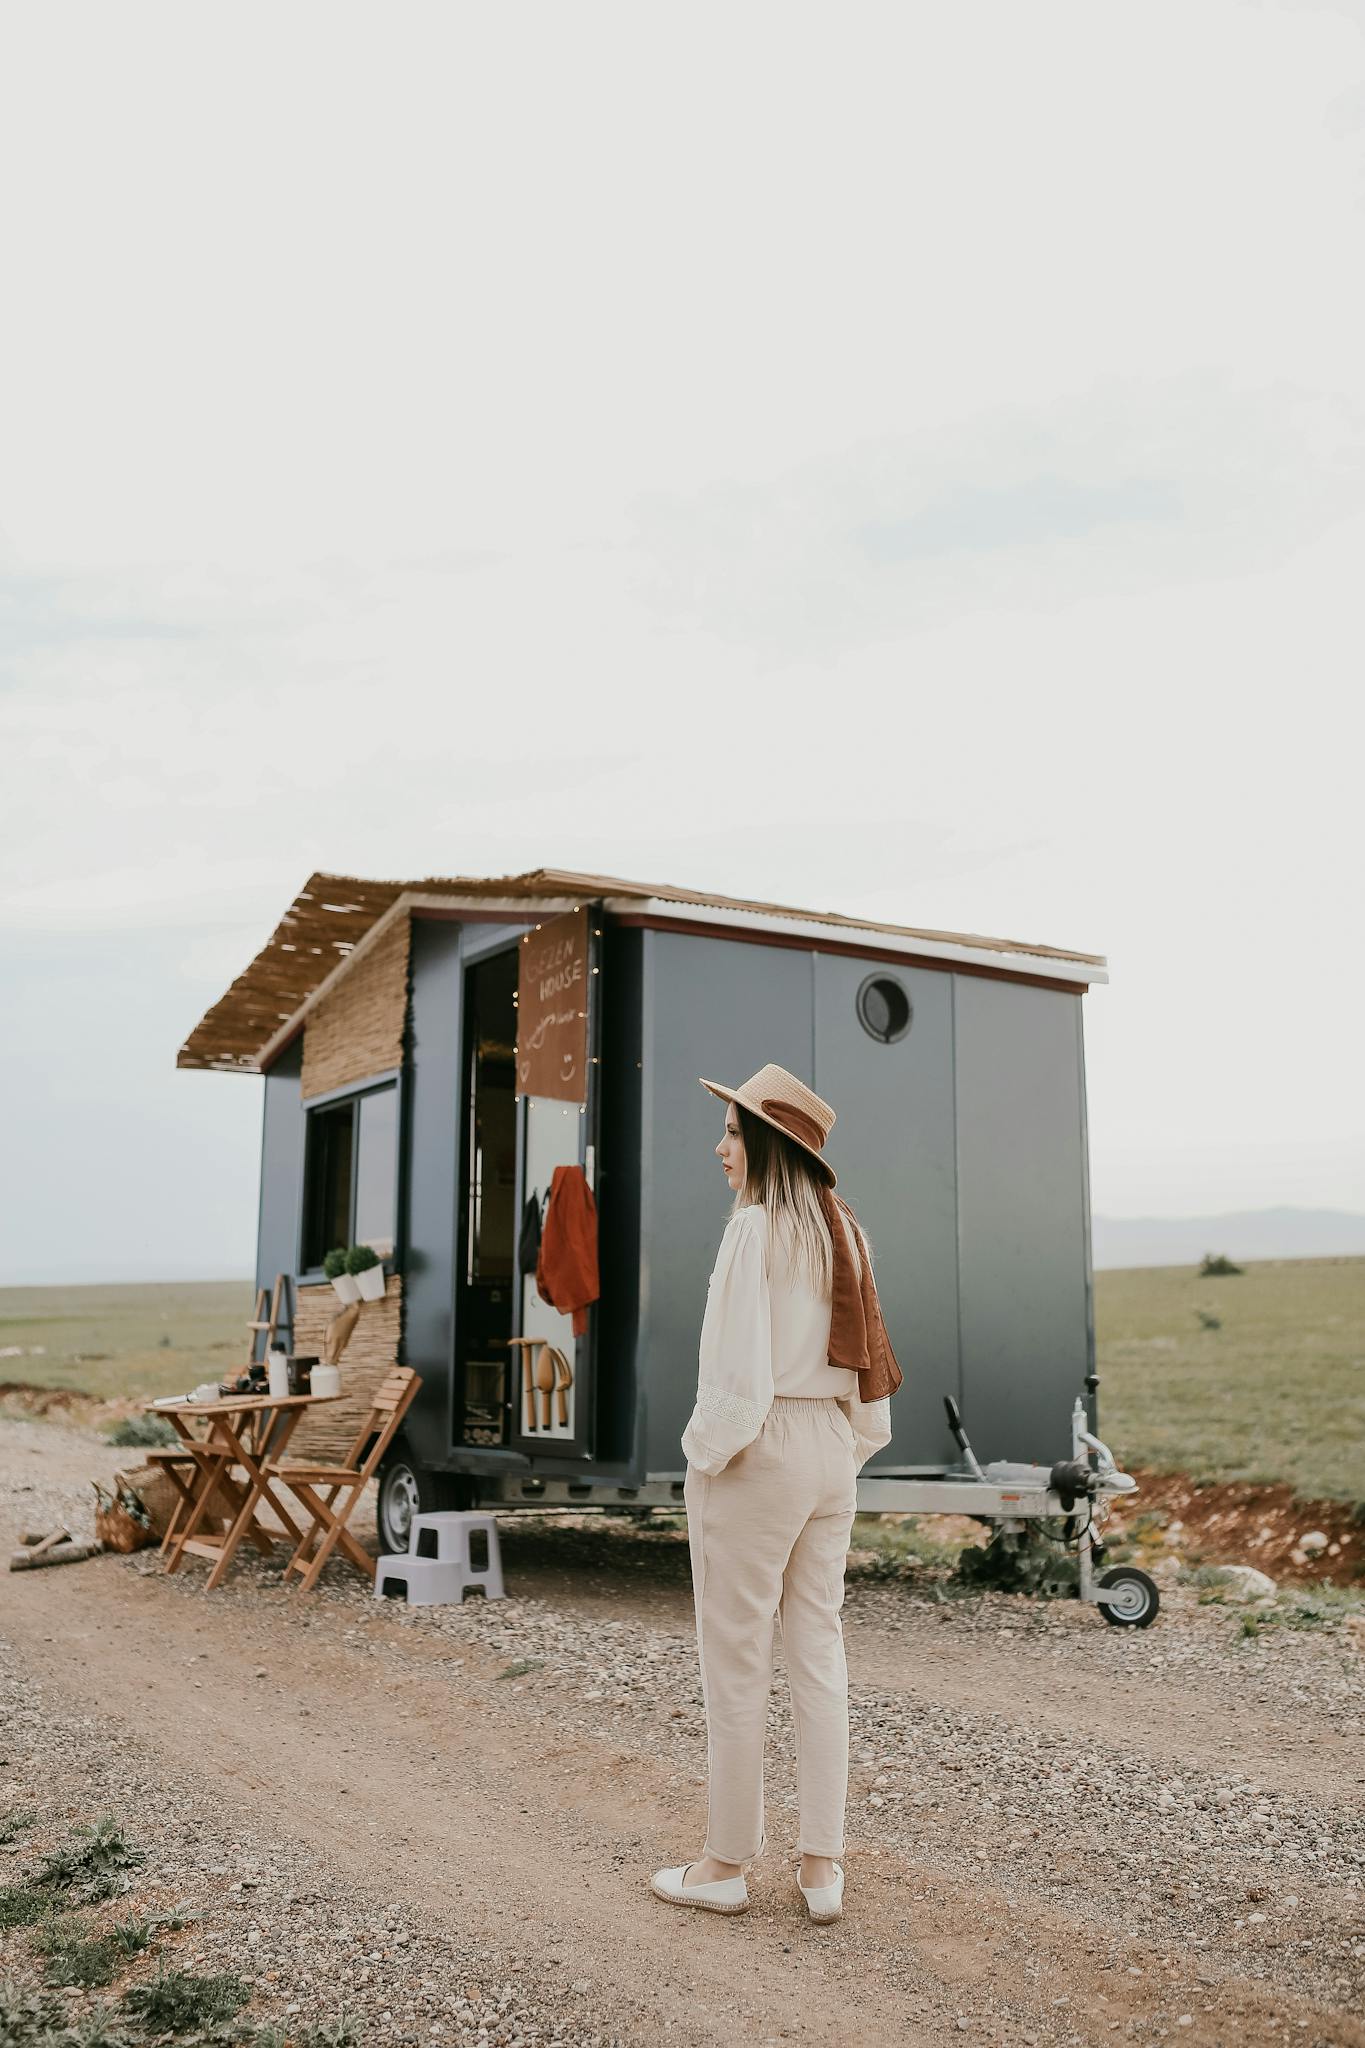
<point x="858" y="1334"/>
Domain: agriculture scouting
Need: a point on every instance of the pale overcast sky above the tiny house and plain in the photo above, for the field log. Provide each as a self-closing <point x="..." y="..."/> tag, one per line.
<point x="897" y="460"/>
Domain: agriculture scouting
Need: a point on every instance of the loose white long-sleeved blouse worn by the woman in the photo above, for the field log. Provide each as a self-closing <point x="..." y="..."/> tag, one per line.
<point x="766" y="1334"/>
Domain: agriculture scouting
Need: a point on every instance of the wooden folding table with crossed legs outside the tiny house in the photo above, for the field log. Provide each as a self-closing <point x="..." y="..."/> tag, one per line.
<point x="243" y="1431"/>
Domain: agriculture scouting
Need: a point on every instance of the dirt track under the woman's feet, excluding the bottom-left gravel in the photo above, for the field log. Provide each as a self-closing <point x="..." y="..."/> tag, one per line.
<point x="1000" y="1885"/>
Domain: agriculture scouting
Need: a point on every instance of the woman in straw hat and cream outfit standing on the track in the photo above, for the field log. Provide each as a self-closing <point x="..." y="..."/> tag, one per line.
<point x="793" y="1398"/>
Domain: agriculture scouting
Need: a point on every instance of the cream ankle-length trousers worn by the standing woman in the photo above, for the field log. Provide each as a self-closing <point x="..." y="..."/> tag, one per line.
<point x="770" y="1537"/>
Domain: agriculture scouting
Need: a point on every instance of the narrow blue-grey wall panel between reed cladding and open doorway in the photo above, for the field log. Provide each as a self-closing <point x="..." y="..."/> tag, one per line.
<point x="431" y="1179"/>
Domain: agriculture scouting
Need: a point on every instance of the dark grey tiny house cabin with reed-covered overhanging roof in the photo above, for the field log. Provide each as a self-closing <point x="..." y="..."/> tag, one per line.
<point x="439" y="1056"/>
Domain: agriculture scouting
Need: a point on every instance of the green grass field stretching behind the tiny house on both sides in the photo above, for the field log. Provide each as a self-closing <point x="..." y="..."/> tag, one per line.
<point x="1274" y="1394"/>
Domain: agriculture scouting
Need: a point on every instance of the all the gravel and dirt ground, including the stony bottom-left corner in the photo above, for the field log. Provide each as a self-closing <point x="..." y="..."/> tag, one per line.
<point x="439" y="1826"/>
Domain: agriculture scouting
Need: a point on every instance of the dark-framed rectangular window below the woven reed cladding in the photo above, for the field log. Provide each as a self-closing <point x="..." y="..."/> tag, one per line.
<point x="351" y="1175"/>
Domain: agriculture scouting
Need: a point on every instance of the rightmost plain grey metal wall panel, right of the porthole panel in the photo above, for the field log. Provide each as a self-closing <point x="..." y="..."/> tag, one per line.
<point x="1022" y="1242"/>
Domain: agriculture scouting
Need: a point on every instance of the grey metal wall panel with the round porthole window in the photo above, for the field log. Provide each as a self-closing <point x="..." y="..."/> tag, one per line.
<point x="895" y="1156"/>
